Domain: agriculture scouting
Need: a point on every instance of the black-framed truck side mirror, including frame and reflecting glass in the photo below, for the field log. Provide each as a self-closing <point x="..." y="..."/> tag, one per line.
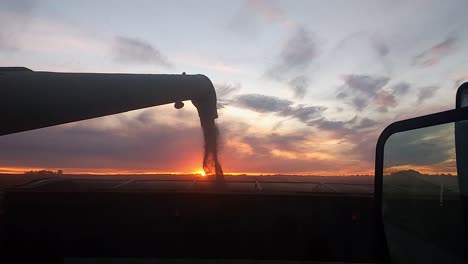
<point x="421" y="187"/>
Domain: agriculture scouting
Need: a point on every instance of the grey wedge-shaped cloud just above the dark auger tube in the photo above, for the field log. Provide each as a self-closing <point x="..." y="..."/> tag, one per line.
<point x="131" y="50"/>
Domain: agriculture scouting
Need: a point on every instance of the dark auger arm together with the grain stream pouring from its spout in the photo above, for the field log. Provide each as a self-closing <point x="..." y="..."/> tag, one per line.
<point x="31" y="100"/>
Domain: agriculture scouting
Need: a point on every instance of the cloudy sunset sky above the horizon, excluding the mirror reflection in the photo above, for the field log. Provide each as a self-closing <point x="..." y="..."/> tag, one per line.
<point x="304" y="87"/>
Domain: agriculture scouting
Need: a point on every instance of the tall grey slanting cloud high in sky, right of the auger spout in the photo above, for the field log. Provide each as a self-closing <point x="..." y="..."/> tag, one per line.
<point x="296" y="55"/>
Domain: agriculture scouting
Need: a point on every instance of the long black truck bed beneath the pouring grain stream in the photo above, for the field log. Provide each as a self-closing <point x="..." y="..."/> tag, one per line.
<point x="59" y="218"/>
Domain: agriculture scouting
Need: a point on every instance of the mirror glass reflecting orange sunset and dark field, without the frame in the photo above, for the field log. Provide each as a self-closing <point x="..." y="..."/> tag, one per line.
<point x="422" y="210"/>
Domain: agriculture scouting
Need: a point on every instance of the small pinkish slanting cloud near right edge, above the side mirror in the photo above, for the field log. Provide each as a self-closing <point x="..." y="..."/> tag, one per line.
<point x="436" y="53"/>
